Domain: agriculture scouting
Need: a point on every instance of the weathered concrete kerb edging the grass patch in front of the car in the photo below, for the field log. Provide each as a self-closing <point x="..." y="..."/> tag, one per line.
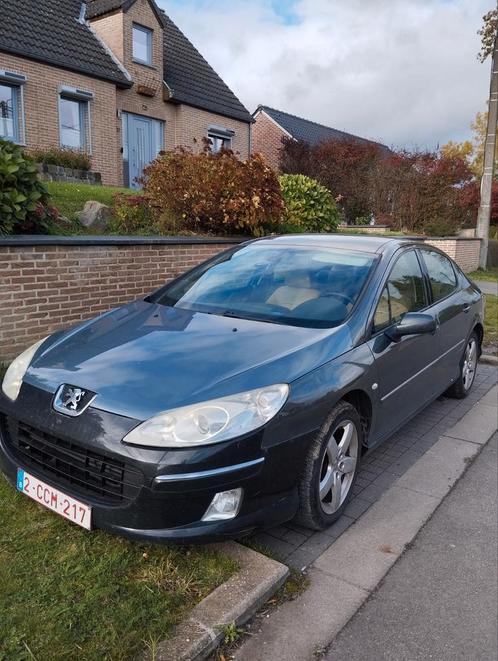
<point x="235" y="601"/>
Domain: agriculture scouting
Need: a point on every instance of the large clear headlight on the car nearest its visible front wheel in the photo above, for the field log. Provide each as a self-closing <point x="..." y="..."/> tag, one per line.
<point x="211" y="422"/>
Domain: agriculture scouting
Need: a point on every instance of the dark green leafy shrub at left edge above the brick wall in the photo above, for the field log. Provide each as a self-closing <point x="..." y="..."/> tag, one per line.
<point x="23" y="198"/>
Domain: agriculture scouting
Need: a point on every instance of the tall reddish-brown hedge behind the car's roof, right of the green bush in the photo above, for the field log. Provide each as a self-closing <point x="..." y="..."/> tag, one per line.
<point x="413" y="191"/>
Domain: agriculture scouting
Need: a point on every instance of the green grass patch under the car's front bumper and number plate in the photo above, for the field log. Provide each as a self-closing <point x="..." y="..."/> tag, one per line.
<point x="66" y="593"/>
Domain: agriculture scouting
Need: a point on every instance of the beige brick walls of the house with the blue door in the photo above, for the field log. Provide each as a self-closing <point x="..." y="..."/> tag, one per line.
<point x="183" y="125"/>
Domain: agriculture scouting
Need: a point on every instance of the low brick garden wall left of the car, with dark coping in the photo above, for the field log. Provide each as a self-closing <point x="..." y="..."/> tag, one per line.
<point x="47" y="287"/>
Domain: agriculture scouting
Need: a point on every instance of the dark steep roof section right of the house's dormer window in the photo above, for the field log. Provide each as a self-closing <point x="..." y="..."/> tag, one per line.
<point x="192" y="80"/>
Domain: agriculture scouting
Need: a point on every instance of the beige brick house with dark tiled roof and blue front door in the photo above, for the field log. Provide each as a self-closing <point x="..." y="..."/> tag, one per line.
<point x="114" y="78"/>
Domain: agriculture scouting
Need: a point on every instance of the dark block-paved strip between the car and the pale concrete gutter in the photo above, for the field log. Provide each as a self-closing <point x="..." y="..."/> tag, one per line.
<point x="299" y="547"/>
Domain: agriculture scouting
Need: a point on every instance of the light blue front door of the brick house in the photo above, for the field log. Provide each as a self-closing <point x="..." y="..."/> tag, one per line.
<point x="142" y="143"/>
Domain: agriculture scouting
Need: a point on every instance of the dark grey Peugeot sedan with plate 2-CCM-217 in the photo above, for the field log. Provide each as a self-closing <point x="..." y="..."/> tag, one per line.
<point x="242" y="394"/>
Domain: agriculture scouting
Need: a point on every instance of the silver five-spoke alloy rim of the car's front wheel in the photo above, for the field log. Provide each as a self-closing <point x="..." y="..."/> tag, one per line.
<point x="338" y="466"/>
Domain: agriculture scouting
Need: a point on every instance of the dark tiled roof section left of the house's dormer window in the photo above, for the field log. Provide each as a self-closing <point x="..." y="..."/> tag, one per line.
<point x="50" y="31"/>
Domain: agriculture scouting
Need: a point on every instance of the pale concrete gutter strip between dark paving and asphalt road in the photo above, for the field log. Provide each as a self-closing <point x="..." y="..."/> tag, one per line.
<point x="350" y="570"/>
